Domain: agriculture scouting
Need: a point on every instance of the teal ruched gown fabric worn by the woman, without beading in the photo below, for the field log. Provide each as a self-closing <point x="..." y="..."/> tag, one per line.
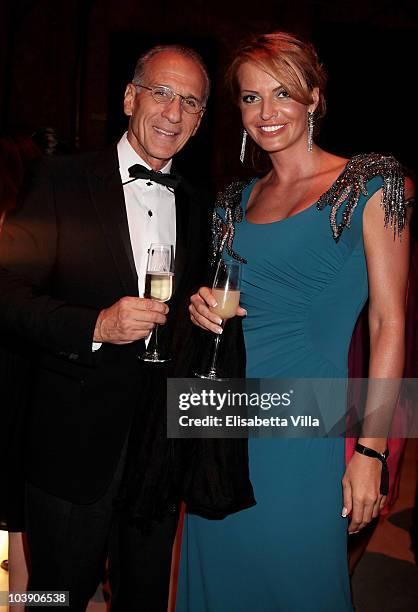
<point x="303" y="293"/>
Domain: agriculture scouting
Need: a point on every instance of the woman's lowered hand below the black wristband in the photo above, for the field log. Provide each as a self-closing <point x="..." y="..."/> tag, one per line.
<point x="361" y="490"/>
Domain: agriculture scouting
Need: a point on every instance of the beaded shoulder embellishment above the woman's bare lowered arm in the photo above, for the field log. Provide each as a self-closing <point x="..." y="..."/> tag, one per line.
<point x="351" y="184"/>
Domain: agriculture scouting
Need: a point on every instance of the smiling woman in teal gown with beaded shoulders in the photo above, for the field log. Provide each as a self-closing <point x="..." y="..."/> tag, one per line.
<point x="314" y="233"/>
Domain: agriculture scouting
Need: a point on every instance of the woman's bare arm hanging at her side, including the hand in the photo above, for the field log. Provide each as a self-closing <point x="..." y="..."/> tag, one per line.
<point x="387" y="264"/>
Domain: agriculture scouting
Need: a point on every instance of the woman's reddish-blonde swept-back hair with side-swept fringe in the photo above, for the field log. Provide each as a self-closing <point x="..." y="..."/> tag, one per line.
<point x="291" y="61"/>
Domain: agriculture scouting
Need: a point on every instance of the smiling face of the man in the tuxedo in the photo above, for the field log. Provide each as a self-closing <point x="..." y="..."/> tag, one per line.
<point x="157" y="131"/>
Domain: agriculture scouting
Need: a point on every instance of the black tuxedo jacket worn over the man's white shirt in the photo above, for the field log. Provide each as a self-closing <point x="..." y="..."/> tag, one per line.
<point x="65" y="254"/>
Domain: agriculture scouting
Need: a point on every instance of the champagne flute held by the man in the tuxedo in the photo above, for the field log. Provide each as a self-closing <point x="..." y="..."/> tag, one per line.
<point x="158" y="286"/>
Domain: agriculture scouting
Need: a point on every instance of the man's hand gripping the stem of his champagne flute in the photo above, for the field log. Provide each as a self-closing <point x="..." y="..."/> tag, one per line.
<point x="129" y="319"/>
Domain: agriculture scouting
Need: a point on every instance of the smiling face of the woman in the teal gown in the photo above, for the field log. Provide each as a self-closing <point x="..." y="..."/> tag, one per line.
<point x="271" y="117"/>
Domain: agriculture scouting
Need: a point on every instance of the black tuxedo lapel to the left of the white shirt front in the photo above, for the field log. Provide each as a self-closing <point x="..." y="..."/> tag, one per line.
<point x="107" y="195"/>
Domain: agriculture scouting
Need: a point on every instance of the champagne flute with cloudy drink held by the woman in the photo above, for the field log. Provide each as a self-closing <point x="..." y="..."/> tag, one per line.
<point x="226" y="291"/>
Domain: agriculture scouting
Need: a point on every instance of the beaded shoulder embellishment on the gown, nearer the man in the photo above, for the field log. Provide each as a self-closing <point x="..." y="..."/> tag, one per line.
<point x="223" y="230"/>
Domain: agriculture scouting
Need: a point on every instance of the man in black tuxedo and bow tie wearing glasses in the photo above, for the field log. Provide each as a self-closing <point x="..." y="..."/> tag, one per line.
<point x="73" y="261"/>
